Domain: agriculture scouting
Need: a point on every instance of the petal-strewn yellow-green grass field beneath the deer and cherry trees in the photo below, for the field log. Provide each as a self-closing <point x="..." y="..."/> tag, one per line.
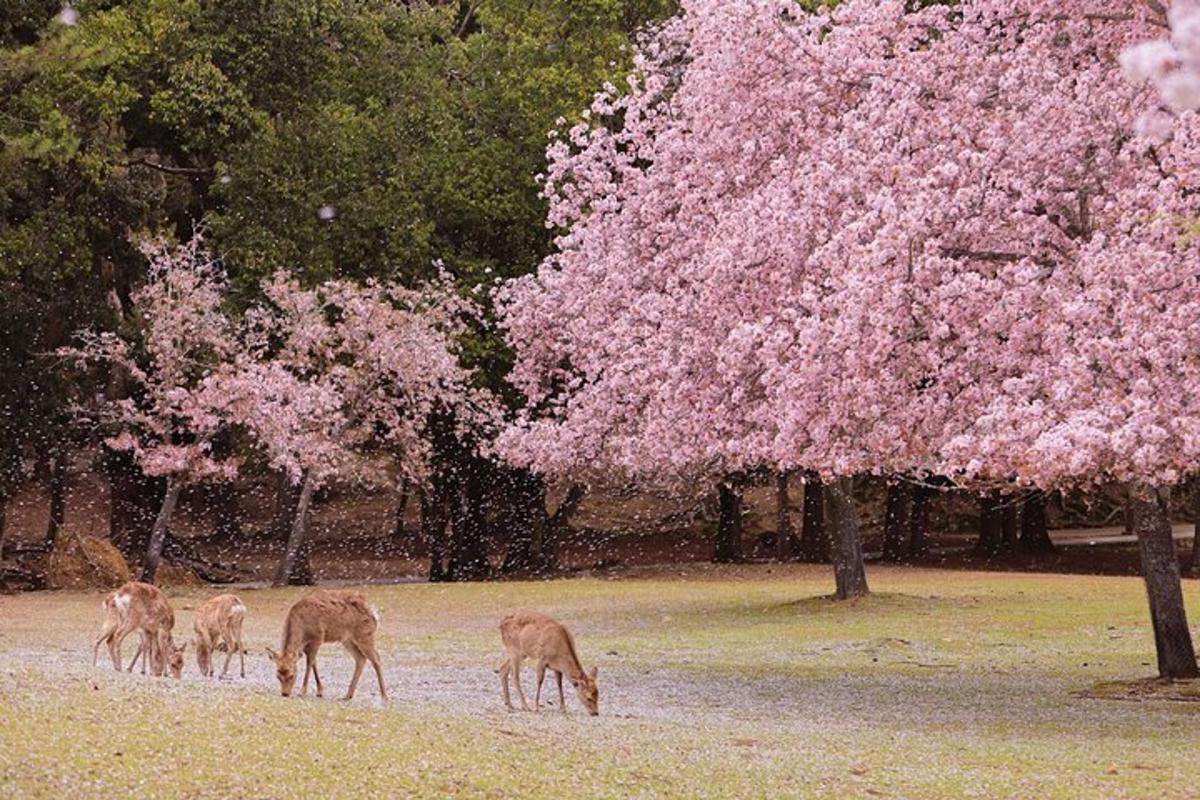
<point x="719" y="683"/>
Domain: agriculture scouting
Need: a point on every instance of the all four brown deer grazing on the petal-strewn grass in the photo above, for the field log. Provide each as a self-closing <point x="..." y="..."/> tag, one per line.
<point x="320" y="618"/>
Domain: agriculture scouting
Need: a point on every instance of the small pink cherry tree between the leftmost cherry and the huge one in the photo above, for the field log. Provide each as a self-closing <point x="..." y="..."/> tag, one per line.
<point x="344" y="378"/>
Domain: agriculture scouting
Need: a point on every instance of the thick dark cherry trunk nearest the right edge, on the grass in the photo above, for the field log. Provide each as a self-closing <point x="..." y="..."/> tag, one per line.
<point x="1161" y="570"/>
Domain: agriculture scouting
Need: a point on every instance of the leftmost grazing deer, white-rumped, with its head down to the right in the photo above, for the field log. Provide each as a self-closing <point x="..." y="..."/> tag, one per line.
<point x="142" y="607"/>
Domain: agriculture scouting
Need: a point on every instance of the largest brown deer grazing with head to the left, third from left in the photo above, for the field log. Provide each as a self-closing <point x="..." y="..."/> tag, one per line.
<point x="323" y="617"/>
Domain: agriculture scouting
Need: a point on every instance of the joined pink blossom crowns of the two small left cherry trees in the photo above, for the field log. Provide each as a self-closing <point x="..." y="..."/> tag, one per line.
<point x="321" y="378"/>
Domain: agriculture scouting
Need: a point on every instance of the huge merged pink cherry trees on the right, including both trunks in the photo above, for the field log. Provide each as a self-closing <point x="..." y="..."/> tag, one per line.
<point x="878" y="239"/>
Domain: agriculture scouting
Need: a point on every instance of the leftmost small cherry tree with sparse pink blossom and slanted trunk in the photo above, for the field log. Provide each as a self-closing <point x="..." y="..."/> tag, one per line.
<point x="176" y="363"/>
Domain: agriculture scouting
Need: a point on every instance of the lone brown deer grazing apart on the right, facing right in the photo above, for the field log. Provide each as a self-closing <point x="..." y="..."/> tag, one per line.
<point x="548" y="643"/>
